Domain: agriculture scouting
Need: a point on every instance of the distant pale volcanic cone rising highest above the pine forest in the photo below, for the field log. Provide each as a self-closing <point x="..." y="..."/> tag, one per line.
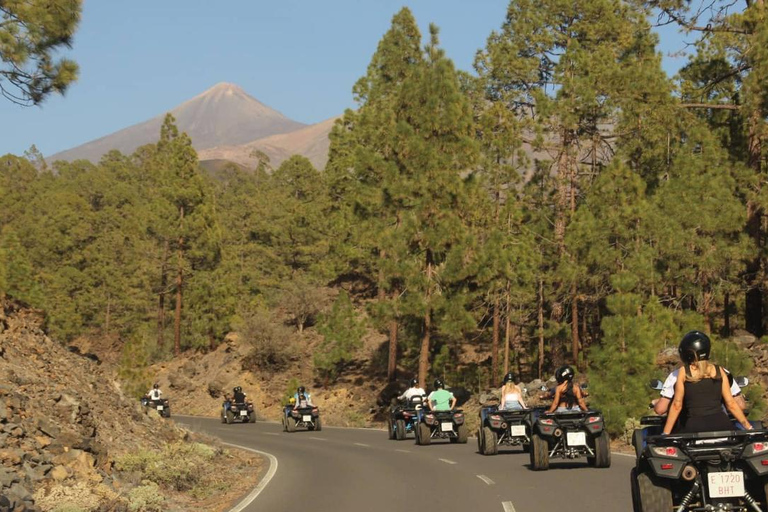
<point x="224" y="115"/>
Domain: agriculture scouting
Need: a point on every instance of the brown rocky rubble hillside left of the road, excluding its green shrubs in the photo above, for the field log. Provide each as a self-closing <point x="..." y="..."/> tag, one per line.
<point x="65" y="427"/>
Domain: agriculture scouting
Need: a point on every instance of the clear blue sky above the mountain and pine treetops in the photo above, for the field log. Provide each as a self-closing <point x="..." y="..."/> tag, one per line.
<point x="141" y="58"/>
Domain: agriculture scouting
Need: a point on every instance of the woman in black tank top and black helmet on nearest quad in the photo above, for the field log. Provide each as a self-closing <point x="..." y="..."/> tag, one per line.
<point x="700" y="391"/>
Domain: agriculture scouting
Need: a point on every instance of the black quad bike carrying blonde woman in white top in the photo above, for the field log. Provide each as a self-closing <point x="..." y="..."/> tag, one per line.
<point x="503" y="428"/>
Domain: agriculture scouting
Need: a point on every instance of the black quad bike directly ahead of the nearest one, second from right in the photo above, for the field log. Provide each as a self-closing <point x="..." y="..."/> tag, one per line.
<point x="569" y="435"/>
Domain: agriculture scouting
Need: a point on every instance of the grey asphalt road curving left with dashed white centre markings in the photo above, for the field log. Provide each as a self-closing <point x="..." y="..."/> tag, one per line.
<point x="340" y="470"/>
